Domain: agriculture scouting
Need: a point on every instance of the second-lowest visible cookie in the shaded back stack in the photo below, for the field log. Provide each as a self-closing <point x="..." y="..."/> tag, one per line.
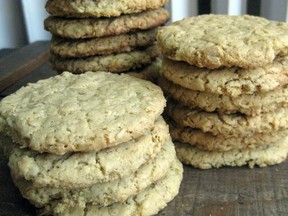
<point x="102" y="46"/>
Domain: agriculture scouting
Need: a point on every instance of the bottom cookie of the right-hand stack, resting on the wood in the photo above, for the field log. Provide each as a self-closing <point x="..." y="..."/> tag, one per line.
<point x="262" y="157"/>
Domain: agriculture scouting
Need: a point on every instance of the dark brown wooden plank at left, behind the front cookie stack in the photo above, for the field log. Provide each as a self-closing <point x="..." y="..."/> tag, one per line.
<point x="17" y="64"/>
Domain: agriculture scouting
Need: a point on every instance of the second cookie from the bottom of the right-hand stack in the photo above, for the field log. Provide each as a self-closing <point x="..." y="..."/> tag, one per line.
<point x="209" y="142"/>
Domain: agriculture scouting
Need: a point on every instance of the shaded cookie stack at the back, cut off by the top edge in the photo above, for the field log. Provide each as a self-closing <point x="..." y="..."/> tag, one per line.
<point x="115" y="36"/>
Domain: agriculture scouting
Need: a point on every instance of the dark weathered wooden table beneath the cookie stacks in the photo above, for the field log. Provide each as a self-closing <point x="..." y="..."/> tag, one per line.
<point x="215" y="192"/>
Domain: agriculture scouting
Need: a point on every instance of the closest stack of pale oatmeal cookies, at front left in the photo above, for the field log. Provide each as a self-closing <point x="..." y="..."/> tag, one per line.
<point x="90" y="144"/>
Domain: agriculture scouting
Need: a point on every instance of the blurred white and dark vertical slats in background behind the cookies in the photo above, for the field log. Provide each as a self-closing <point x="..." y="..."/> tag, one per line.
<point x="21" y="21"/>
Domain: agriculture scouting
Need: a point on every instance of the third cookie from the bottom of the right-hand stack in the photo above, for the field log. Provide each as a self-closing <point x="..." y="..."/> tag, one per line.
<point x="228" y="125"/>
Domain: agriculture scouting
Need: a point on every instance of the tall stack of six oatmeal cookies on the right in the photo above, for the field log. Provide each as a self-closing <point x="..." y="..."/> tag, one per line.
<point x="227" y="82"/>
